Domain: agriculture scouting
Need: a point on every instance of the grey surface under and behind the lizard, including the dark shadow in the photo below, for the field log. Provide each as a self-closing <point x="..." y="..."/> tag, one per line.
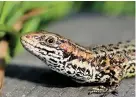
<point x="27" y="76"/>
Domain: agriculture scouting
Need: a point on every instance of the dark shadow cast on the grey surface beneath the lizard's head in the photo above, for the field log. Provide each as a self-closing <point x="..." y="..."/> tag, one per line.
<point x="42" y="76"/>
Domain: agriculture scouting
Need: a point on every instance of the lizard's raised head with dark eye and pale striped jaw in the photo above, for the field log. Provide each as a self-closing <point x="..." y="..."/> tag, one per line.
<point x="48" y="46"/>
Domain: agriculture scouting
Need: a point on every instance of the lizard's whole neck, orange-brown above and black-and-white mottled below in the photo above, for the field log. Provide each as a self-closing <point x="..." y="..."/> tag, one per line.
<point x="78" y="62"/>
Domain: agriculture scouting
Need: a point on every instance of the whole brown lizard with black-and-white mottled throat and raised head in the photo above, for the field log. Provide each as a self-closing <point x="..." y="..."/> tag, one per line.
<point x="106" y="65"/>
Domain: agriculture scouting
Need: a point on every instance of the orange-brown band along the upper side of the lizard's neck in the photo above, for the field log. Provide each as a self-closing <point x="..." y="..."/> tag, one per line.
<point x="74" y="49"/>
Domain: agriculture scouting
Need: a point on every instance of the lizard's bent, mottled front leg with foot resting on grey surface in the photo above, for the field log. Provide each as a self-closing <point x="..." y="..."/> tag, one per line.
<point x="111" y="84"/>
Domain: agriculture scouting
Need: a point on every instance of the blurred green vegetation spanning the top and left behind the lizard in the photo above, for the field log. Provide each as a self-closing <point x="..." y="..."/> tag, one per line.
<point x="20" y="17"/>
